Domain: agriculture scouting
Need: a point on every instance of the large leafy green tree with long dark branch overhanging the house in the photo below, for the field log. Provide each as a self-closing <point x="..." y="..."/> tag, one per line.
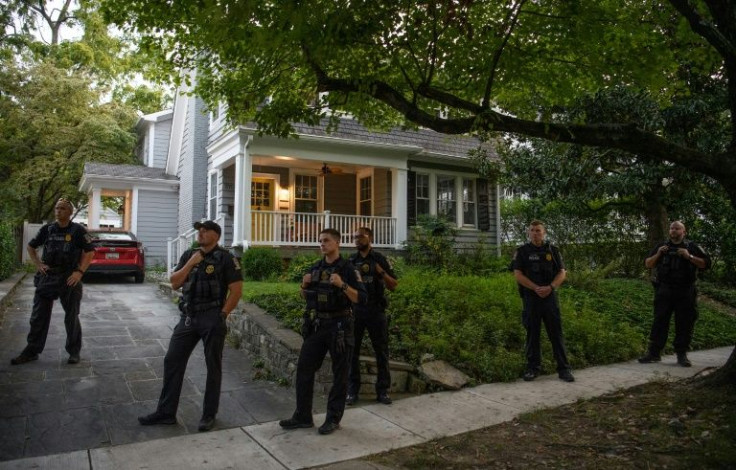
<point x="455" y="66"/>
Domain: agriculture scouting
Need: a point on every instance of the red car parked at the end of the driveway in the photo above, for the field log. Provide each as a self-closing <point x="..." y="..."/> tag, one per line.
<point x="117" y="252"/>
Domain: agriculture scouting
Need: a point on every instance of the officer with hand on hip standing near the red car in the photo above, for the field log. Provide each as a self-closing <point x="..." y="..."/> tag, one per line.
<point x="67" y="253"/>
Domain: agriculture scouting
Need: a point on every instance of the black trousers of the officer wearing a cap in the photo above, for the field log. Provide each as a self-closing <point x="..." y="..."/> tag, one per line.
<point x="209" y="327"/>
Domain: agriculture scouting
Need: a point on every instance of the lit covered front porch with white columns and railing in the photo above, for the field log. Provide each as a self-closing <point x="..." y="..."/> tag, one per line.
<point x="283" y="192"/>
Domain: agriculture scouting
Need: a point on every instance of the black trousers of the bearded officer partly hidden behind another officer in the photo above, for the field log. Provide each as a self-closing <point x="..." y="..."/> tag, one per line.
<point x="377" y="327"/>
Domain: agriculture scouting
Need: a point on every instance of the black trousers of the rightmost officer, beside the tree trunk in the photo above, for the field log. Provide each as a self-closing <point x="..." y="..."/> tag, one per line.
<point x="680" y="300"/>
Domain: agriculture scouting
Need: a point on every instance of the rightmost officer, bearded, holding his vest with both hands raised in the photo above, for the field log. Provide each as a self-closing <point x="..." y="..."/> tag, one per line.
<point x="676" y="262"/>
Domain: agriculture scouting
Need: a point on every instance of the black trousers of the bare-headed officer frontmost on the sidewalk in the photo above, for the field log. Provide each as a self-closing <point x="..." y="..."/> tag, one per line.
<point x="311" y="356"/>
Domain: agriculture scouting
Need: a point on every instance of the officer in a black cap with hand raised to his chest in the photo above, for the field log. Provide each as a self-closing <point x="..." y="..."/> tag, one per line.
<point x="211" y="282"/>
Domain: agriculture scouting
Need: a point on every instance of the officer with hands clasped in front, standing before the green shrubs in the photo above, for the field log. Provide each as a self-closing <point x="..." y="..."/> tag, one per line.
<point x="539" y="270"/>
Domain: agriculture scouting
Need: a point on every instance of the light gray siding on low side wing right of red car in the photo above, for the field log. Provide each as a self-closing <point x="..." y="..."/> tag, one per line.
<point x="156" y="223"/>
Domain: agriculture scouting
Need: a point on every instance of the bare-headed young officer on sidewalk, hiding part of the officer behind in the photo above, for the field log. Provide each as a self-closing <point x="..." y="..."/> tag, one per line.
<point x="330" y="288"/>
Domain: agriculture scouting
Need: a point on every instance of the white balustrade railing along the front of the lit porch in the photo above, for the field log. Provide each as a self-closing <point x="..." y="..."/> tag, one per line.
<point x="272" y="228"/>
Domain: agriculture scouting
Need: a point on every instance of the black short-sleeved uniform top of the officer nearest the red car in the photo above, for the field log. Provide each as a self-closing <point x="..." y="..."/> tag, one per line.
<point x="62" y="246"/>
